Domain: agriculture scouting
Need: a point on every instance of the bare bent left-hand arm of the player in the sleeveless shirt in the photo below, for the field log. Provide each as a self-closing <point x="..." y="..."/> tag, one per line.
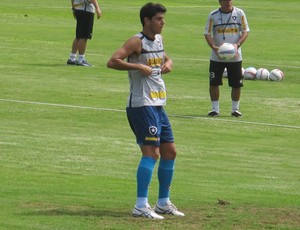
<point x="133" y="45"/>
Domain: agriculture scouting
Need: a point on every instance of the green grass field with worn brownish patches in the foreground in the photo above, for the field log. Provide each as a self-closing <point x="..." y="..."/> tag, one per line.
<point x="69" y="159"/>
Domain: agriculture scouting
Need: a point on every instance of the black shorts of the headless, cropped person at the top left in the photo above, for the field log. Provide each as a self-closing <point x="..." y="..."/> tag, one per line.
<point x="85" y="23"/>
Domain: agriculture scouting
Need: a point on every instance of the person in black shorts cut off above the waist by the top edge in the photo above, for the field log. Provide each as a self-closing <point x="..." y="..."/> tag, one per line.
<point x="83" y="11"/>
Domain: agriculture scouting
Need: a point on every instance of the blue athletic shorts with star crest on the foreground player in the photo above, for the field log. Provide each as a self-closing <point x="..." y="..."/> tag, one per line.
<point x="150" y="124"/>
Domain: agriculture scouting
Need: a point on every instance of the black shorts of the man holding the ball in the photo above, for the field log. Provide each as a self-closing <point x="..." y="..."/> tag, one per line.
<point x="234" y="71"/>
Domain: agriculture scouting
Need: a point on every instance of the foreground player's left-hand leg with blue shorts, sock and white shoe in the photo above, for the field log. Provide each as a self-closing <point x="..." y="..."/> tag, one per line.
<point x="143" y="122"/>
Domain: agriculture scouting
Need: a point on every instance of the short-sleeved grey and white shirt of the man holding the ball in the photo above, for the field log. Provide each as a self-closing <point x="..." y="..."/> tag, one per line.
<point x="226" y="27"/>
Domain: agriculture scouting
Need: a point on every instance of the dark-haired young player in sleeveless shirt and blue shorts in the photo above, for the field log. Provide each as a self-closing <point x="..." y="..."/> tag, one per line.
<point x="146" y="62"/>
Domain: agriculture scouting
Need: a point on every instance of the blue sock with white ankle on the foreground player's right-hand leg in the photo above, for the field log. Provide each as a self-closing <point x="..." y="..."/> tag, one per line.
<point x="165" y="176"/>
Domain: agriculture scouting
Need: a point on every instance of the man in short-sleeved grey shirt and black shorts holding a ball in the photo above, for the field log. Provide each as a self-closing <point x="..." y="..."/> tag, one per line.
<point x="226" y="24"/>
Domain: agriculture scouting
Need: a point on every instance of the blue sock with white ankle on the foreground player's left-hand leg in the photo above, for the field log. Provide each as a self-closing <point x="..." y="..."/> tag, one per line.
<point x="144" y="175"/>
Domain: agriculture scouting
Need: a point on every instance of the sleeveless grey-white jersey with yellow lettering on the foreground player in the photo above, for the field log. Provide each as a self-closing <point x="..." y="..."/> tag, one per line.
<point x="148" y="90"/>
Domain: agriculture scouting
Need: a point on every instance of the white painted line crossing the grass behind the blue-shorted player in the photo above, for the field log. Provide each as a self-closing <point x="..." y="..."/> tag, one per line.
<point x="171" y="115"/>
